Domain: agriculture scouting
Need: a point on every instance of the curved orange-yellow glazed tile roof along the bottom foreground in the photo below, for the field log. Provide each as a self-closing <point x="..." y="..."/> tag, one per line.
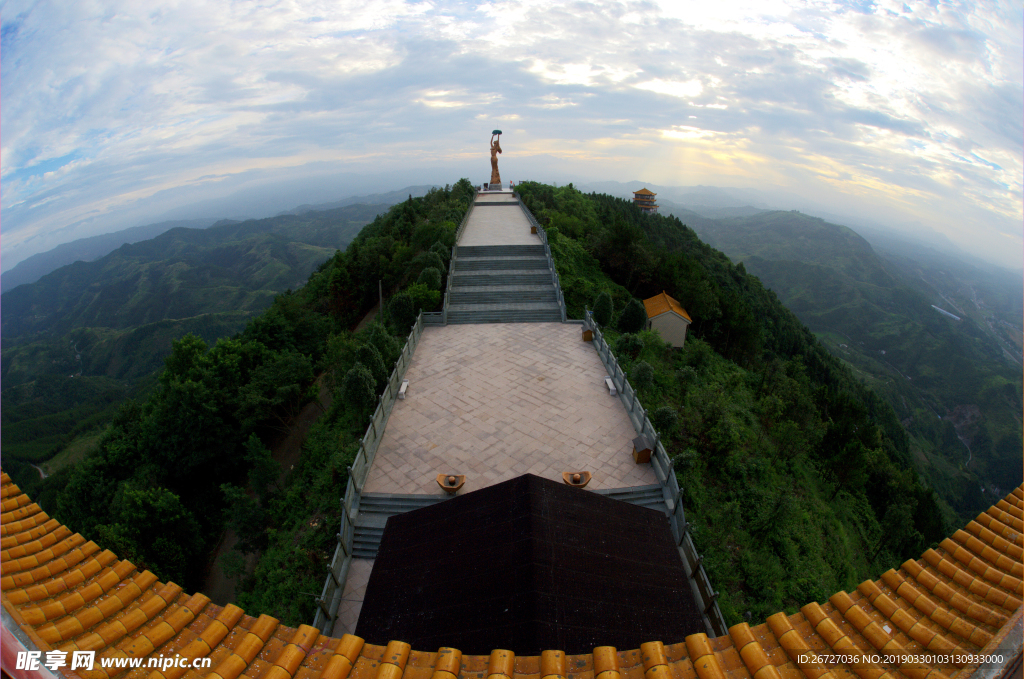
<point x="65" y="592"/>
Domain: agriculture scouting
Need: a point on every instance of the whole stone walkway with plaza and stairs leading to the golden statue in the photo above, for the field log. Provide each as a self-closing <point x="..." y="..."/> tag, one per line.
<point x="495" y="401"/>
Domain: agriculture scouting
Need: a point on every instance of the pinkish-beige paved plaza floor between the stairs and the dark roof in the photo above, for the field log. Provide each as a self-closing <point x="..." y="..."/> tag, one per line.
<point x="497" y="401"/>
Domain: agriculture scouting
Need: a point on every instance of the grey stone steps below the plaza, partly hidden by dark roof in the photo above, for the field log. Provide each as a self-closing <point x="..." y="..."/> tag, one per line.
<point x="375" y="508"/>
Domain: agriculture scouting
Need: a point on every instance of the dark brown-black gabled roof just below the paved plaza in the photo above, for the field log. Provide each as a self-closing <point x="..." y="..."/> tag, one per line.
<point x="528" y="565"/>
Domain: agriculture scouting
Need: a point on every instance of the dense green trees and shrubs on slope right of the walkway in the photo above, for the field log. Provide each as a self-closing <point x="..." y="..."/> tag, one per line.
<point x="797" y="480"/>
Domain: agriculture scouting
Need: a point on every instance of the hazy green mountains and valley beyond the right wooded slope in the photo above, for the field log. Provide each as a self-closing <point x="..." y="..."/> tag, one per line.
<point x="955" y="386"/>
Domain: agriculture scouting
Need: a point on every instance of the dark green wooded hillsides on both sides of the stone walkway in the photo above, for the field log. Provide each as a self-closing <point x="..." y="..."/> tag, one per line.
<point x="799" y="481"/>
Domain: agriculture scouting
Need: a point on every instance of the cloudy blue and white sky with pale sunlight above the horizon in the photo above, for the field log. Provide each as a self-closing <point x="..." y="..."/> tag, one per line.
<point x="117" y="113"/>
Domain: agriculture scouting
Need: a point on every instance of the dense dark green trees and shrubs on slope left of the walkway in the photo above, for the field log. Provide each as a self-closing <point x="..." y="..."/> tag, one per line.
<point x="172" y="473"/>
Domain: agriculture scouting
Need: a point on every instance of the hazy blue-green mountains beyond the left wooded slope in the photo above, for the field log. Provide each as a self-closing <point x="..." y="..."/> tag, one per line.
<point x="99" y="329"/>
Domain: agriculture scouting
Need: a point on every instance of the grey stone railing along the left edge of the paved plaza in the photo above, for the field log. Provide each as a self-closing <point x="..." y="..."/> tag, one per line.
<point x="330" y="599"/>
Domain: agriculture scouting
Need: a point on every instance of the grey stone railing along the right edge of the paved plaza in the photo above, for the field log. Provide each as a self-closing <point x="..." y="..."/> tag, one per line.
<point x="705" y="595"/>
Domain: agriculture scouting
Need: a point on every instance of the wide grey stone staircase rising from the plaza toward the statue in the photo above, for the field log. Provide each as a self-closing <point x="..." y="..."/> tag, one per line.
<point x="502" y="284"/>
